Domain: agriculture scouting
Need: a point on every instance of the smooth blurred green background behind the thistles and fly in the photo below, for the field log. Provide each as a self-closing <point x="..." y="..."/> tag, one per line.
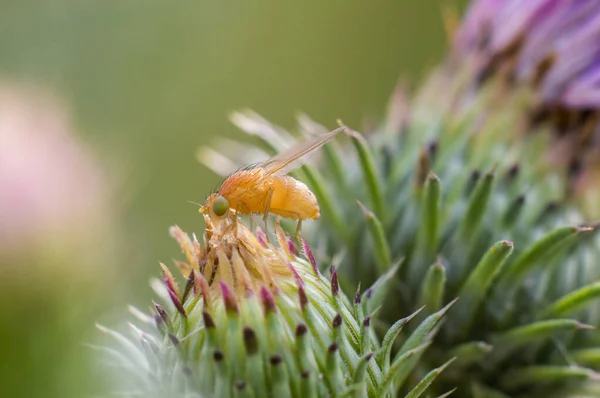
<point x="146" y="83"/>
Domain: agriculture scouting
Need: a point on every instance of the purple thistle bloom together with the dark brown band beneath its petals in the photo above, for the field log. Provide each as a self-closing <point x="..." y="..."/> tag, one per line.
<point x="545" y="56"/>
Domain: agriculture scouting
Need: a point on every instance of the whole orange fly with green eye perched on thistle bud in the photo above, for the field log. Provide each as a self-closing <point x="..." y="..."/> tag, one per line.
<point x="265" y="188"/>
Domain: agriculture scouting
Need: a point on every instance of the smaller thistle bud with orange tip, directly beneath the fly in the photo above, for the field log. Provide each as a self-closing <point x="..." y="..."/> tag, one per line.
<point x="260" y="320"/>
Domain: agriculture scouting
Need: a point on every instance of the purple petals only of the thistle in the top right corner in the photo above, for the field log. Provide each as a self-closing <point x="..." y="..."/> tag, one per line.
<point x="551" y="43"/>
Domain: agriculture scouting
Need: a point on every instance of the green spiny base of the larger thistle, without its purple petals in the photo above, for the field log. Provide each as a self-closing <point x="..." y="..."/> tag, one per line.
<point x="472" y="211"/>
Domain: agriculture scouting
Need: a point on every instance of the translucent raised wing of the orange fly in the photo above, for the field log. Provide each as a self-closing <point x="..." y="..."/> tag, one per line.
<point x="285" y="161"/>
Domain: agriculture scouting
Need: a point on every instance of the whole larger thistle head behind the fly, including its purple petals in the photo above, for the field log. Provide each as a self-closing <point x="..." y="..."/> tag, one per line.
<point x="474" y="183"/>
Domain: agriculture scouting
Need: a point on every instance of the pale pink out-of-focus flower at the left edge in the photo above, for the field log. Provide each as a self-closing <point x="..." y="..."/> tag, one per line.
<point x="50" y="183"/>
